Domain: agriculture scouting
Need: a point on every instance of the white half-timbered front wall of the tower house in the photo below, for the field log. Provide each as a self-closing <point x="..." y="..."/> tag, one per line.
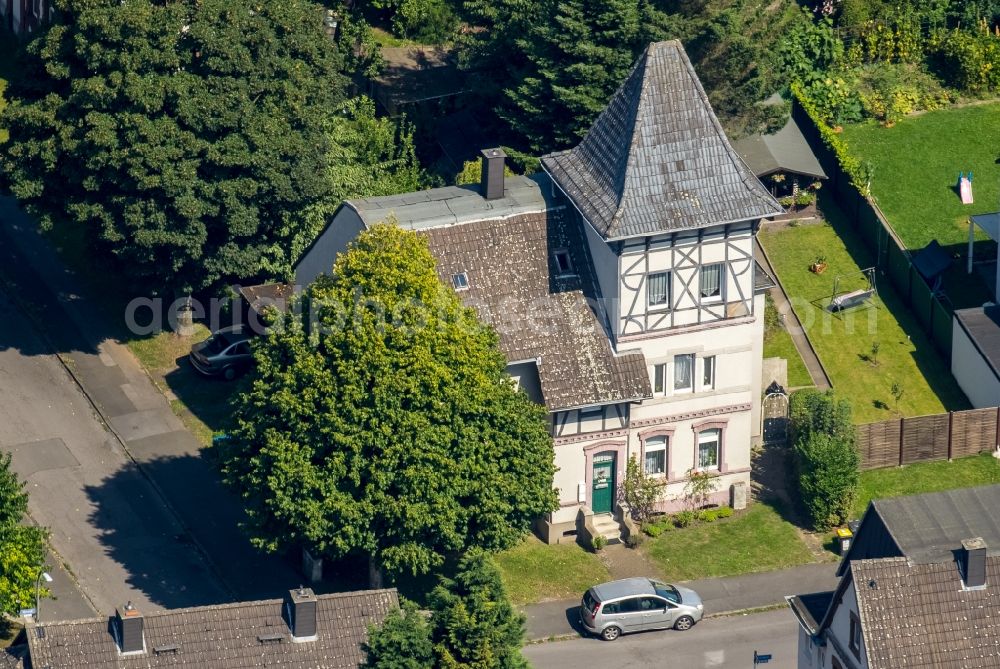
<point x="723" y="334"/>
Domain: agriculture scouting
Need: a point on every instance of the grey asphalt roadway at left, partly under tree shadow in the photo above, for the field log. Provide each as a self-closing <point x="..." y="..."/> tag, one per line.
<point x="107" y="522"/>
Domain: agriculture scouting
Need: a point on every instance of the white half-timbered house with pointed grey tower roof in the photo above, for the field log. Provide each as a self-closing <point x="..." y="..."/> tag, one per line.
<point x="622" y="283"/>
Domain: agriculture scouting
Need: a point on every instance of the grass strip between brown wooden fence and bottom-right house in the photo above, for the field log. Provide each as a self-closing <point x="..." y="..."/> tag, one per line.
<point x="926" y="477"/>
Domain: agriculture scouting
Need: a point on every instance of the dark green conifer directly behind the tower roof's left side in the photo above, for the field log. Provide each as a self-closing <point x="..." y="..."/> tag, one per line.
<point x="578" y="53"/>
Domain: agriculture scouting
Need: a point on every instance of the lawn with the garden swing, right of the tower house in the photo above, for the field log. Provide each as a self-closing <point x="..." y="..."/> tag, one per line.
<point x="844" y="341"/>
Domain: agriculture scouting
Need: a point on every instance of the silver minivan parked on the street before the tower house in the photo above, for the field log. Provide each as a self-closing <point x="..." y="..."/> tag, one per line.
<point x="638" y="604"/>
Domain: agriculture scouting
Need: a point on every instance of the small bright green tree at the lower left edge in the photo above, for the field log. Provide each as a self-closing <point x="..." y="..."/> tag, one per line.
<point x="22" y="547"/>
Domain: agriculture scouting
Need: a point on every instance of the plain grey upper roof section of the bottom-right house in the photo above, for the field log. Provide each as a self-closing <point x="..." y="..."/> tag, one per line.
<point x="928" y="528"/>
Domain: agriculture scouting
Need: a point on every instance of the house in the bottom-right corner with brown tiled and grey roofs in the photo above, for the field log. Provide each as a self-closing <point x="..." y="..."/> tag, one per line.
<point x="920" y="587"/>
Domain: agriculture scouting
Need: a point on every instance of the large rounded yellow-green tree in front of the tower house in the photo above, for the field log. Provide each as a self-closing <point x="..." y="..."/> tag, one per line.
<point x="382" y="421"/>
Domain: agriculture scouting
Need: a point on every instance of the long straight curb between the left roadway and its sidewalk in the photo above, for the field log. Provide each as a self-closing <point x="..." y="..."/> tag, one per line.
<point x="15" y="299"/>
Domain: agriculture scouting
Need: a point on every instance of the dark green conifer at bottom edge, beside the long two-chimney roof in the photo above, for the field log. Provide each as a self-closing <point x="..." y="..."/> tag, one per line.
<point x="474" y="624"/>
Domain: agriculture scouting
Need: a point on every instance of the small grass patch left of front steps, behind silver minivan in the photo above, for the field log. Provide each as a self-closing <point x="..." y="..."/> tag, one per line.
<point x="535" y="572"/>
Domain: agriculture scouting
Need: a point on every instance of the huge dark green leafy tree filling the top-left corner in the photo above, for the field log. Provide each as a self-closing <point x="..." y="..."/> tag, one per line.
<point x="184" y="136"/>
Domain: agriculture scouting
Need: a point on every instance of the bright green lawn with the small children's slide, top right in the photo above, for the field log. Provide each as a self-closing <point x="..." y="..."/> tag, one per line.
<point x="916" y="165"/>
